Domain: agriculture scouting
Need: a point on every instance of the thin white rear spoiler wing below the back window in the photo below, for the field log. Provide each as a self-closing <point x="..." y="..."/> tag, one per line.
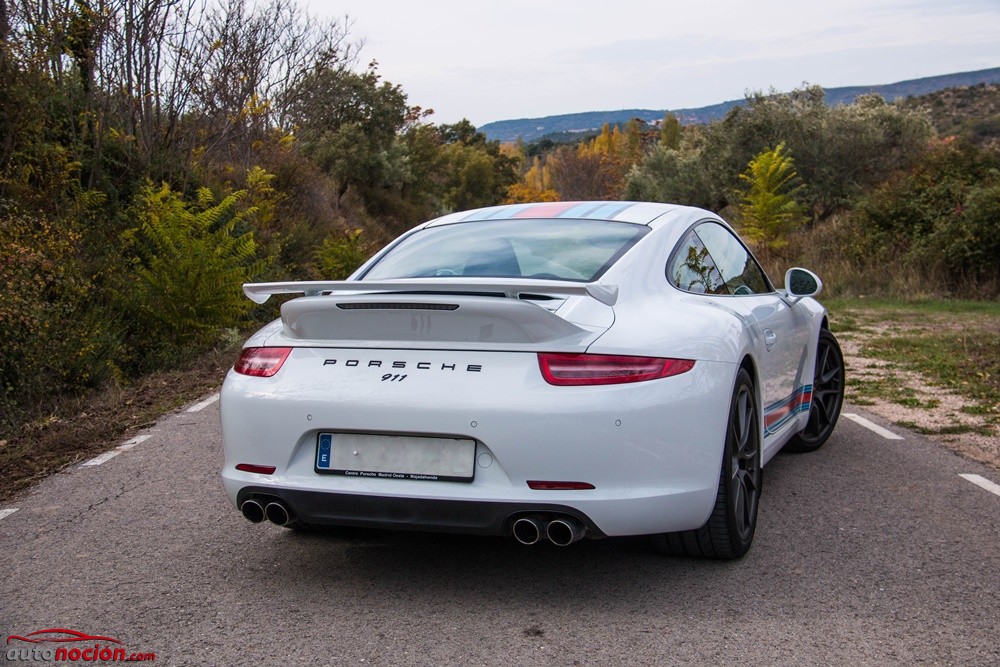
<point x="512" y="288"/>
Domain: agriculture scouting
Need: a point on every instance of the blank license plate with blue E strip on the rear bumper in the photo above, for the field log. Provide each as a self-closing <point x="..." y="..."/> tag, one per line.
<point x="396" y="457"/>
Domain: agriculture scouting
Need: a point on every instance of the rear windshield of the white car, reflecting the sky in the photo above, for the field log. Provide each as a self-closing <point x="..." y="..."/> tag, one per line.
<point x="577" y="250"/>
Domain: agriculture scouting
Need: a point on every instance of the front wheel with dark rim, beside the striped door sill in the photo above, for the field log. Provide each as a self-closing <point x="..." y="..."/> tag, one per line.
<point x="827" y="398"/>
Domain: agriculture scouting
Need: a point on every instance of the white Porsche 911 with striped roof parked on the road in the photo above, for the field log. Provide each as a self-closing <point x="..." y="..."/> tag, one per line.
<point x="547" y="371"/>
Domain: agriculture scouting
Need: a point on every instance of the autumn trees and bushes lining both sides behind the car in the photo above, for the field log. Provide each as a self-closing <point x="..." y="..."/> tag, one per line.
<point x="154" y="155"/>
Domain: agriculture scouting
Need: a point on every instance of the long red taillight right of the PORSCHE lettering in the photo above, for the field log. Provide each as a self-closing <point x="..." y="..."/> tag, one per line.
<point x="588" y="369"/>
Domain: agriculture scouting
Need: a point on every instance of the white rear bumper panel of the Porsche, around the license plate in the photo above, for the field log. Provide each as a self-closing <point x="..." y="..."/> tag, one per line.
<point x="652" y="450"/>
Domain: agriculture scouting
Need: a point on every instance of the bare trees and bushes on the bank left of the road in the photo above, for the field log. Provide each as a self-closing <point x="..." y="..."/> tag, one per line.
<point x="155" y="155"/>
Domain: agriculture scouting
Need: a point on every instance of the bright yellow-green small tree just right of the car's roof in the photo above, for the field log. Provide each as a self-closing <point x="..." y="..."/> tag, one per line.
<point x="767" y="210"/>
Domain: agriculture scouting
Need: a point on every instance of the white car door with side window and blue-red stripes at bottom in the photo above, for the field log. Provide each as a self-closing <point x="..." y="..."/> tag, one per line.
<point x="780" y="333"/>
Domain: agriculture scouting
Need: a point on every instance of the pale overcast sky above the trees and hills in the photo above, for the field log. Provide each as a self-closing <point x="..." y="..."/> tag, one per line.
<point x="508" y="59"/>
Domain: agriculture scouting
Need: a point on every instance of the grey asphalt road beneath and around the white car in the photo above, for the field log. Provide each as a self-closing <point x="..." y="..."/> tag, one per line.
<point x="868" y="552"/>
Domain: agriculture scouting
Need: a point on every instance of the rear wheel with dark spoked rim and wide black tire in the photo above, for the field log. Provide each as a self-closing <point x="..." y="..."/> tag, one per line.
<point x="729" y="531"/>
